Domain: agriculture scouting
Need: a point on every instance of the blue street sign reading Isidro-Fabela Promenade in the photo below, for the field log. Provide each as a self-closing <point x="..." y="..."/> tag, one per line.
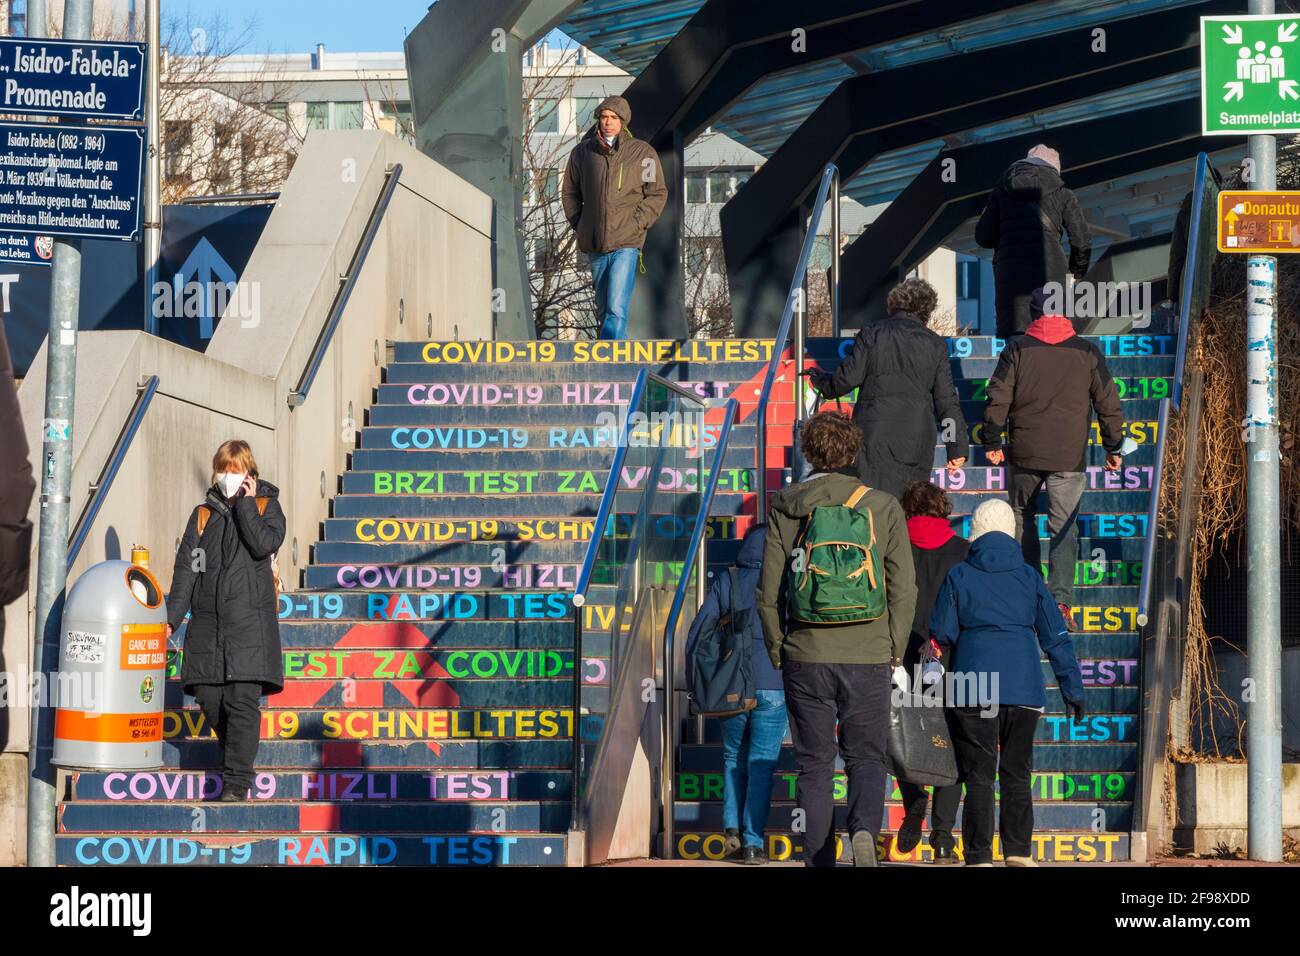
<point x="72" y="79"/>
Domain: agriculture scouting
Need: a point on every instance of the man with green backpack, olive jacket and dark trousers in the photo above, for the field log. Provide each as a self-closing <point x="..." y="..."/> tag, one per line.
<point x="837" y="599"/>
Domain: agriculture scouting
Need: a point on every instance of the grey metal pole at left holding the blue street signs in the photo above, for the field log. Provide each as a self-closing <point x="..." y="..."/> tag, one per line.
<point x="57" y="474"/>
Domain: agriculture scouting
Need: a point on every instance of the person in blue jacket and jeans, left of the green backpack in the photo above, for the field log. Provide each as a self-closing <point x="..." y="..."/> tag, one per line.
<point x="752" y="742"/>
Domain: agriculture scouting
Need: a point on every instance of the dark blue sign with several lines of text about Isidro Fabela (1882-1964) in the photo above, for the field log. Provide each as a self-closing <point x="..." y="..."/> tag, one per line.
<point x="81" y="181"/>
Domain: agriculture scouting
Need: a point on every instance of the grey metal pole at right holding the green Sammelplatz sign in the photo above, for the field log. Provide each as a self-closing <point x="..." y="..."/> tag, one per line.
<point x="1263" y="531"/>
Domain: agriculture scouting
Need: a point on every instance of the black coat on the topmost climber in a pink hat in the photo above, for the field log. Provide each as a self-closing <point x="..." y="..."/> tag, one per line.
<point x="1026" y="214"/>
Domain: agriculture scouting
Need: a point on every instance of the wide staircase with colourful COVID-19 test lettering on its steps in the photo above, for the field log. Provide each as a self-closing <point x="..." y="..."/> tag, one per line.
<point x="427" y="712"/>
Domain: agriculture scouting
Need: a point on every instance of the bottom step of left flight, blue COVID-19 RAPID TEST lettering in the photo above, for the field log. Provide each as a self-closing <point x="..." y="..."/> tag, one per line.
<point x="293" y="850"/>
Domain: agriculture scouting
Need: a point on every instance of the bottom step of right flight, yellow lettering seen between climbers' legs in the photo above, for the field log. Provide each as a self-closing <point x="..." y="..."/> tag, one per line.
<point x="1047" y="847"/>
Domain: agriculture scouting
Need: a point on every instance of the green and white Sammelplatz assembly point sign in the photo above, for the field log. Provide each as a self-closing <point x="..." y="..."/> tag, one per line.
<point x="1250" y="75"/>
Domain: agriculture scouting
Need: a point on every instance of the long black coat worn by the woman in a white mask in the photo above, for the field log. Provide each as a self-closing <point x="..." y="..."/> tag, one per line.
<point x="235" y="630"/>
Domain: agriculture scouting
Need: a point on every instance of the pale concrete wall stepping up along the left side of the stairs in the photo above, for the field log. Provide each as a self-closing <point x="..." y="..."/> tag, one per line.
<point x="428" y="276"/>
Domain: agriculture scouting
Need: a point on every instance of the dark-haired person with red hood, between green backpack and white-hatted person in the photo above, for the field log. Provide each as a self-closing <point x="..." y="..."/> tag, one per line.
<point x="935" y="551"/>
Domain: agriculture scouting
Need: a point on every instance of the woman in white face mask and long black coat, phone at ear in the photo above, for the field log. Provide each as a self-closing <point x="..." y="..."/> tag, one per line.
<point x="224" y="578"/>
